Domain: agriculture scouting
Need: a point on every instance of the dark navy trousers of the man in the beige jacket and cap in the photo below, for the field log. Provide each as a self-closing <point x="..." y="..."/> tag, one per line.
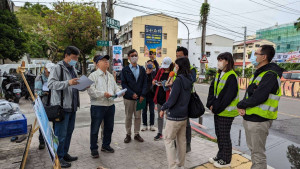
<point x="99" y="113"/>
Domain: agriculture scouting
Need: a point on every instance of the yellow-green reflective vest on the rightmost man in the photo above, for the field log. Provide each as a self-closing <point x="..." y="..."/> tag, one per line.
<point x="269" y="108"/>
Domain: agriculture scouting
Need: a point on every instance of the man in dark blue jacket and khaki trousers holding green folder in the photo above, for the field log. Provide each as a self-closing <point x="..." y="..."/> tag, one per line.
<point x="134" y="79"/>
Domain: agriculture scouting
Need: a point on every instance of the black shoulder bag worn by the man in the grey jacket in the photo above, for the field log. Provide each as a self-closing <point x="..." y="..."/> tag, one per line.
<point x="56" y="113"/>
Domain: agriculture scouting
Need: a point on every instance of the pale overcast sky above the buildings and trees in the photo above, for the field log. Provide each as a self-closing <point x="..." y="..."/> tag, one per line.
<point x="226" y="17"/>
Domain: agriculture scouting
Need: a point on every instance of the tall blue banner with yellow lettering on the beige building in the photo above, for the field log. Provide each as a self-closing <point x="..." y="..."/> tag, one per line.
<point x="153" y="40"/>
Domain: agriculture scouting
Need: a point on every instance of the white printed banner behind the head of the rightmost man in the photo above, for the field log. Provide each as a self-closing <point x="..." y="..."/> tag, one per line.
<point x="290" y="57"/>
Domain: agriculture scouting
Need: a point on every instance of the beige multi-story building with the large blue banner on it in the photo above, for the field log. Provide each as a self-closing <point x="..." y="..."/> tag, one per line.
<point x="132" y="36"/>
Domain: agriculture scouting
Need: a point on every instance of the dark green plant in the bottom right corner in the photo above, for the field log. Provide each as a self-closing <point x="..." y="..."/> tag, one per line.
<point x="293" y="154"/>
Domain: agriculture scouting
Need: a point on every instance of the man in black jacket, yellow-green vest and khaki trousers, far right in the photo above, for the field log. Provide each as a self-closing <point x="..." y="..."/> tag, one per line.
<point x="260" y="104"/>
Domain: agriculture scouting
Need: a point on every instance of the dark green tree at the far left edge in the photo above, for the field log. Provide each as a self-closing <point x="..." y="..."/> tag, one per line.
<point x="12" y="37"/>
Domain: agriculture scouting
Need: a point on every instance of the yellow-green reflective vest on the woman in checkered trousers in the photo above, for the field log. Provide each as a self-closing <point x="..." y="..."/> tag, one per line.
<point x="231" y="109"/>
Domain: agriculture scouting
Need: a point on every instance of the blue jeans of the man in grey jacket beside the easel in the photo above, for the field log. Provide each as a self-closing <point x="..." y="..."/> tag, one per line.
<point x="64" y="130"/>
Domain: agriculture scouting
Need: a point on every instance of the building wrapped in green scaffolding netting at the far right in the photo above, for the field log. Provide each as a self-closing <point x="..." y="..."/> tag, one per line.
<point x="286" y="37"/>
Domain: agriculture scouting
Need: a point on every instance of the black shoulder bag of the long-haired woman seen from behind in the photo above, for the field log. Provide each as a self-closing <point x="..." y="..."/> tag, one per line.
<point x="195" y="107"/>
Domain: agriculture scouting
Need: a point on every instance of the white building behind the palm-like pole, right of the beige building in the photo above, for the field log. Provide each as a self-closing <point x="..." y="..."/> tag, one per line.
<point x="215" y="44"/>
